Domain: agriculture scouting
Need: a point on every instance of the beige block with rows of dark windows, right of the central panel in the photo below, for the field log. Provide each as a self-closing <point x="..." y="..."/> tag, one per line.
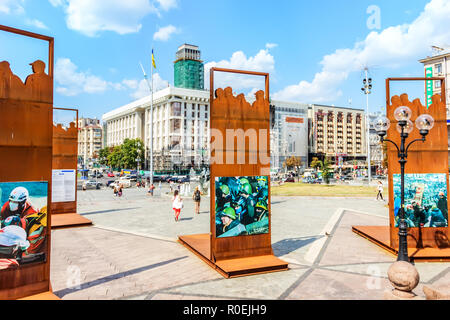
<point x="337" y="132"/>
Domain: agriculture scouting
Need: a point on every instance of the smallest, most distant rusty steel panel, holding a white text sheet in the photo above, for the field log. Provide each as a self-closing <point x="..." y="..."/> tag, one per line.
<point x="65" y="156"/>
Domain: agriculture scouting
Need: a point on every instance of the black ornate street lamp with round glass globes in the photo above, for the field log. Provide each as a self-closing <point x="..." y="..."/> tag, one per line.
<point x="424" y="123"/>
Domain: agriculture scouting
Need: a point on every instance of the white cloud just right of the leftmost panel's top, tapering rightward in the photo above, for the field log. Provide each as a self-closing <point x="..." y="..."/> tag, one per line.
<point x="71" y="82"/>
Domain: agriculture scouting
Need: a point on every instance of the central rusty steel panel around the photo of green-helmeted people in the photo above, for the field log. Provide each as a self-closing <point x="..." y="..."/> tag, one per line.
<point x="234" y="112"/>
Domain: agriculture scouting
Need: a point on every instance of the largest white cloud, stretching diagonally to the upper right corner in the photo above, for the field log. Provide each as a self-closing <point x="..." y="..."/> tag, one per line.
<point x="390" y="47"/>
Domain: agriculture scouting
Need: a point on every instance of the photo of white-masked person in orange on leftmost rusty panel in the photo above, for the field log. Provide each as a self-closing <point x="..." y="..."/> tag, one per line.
<point x="23" y="221"/>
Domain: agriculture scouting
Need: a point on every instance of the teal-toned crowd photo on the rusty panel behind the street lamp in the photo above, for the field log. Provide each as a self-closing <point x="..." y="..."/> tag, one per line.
<point x="425" y="200"/>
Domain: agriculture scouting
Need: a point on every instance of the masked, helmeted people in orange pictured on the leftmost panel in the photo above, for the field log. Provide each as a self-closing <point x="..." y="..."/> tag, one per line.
<point x="23" y="229"/>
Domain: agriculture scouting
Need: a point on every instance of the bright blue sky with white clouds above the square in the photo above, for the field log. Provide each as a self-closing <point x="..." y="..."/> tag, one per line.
<point x="314" y="50"/>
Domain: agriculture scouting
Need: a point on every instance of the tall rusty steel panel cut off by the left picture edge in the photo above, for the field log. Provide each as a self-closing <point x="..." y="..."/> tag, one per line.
<point x="26" y="149"/>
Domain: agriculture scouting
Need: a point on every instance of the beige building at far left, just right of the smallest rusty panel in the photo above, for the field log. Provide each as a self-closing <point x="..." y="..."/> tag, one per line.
<point x="89" y="138"/>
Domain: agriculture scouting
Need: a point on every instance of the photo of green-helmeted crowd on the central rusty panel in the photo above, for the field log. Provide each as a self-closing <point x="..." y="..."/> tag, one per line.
<point x="241" y="206"/>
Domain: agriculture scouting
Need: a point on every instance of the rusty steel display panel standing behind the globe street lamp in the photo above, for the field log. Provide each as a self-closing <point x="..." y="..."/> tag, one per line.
<point x="430" y="156"/>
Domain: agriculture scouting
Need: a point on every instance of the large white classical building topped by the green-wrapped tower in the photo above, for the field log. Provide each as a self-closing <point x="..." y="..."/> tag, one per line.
<point x="180" y="126"/>
